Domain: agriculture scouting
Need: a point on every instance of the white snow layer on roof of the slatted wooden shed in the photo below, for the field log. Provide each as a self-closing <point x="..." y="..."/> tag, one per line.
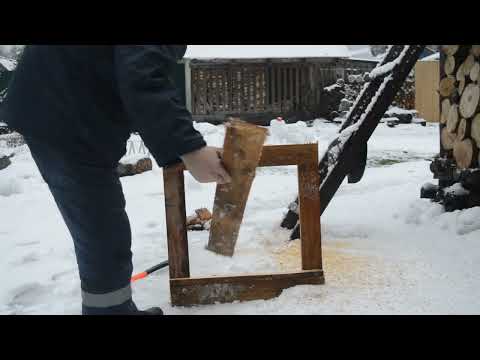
<point x="265" y="51"/>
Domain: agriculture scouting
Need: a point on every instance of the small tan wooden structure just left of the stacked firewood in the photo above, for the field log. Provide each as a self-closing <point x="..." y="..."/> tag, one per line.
<point x="427" y="78"/>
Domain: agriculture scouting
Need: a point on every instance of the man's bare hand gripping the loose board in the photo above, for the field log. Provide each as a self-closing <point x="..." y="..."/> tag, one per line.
<point x="206" y="166"/>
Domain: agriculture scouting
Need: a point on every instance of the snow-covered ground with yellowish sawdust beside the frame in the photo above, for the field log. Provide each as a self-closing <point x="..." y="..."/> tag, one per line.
<point x="385" y="250"/>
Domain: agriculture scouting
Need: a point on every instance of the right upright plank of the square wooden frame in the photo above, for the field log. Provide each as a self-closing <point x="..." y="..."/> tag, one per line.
<point x="309" y="199"/>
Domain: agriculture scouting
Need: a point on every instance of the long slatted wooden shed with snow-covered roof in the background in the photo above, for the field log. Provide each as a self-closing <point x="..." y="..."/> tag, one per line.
<point x="261" y="82"/>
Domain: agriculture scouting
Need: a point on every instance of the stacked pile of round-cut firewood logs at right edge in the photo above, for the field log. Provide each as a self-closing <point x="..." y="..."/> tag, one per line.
<point x="457" y="166"/>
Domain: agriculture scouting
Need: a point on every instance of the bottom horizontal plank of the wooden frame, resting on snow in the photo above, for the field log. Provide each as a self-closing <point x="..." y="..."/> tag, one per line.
<point x="224" y="289"/>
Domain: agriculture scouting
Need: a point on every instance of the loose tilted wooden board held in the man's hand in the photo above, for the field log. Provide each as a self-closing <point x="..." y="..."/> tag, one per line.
<point x="241" y="155"/>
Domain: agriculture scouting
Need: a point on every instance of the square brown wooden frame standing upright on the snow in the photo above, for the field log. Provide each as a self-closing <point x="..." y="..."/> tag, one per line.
<point x="187" y="291"/>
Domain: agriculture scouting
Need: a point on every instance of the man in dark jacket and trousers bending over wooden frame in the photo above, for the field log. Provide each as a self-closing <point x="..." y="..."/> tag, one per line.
<point x="76" y="107"/>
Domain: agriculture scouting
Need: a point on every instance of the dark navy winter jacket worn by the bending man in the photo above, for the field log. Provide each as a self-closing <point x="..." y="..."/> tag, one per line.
<point x="88" y="99"/>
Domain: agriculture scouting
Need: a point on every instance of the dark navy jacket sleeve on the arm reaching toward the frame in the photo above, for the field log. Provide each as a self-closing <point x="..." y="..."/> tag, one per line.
<point x="144" y="78"/>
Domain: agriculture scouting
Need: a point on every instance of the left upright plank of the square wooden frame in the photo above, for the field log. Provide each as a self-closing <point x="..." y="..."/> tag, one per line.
<point x="174" y="188"/>
